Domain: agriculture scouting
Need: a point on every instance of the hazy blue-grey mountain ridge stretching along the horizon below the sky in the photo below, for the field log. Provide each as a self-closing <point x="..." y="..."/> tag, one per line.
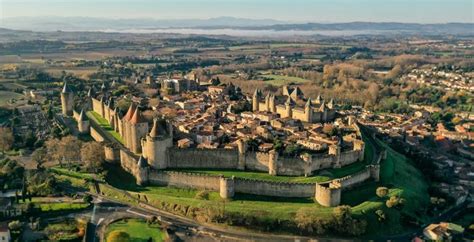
<point x="122" y="25"/>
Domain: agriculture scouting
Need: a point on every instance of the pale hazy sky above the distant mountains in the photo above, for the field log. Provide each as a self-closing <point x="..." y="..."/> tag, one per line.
<point x="420" y="11"/>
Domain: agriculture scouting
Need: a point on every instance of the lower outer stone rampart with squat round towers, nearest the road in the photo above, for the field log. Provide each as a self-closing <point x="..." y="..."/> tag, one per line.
<point x="326" y="193"/>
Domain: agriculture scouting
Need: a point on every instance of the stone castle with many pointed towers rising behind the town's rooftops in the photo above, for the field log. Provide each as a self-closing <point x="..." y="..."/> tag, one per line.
<point x="293" y="104"/>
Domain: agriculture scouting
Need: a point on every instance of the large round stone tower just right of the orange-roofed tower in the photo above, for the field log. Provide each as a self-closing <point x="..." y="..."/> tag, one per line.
<point x="155" y="145"/>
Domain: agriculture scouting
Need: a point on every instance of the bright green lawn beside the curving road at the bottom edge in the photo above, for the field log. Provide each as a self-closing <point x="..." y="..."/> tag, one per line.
<point x="138" y="230"/>
